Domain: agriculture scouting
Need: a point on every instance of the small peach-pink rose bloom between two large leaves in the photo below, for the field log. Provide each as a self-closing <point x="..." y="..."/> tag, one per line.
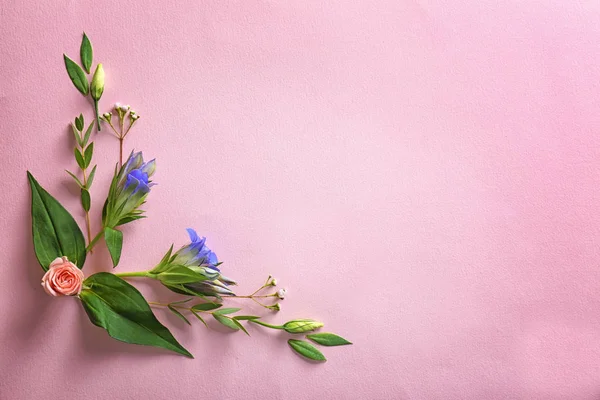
<point x="63" y="278"/>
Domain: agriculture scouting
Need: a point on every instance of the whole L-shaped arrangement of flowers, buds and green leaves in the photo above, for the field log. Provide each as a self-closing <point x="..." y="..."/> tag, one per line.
<point x="193" y="271"/>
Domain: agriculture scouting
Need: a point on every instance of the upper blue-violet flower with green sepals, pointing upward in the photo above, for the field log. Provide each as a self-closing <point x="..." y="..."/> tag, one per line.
<point x="128" y="191"/>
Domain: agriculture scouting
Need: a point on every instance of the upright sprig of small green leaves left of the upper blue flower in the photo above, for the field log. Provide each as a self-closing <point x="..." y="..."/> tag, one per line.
<point x="83" y="155"/>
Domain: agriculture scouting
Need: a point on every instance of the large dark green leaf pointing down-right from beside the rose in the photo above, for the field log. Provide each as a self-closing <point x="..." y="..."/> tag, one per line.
<point x="115" y="305"/>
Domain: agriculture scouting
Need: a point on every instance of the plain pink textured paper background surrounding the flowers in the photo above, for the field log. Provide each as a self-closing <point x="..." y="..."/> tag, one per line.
<point x="421" y="175"/>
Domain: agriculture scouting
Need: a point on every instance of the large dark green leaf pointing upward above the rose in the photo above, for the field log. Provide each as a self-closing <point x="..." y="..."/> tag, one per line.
<point x="55" y="232"/>
